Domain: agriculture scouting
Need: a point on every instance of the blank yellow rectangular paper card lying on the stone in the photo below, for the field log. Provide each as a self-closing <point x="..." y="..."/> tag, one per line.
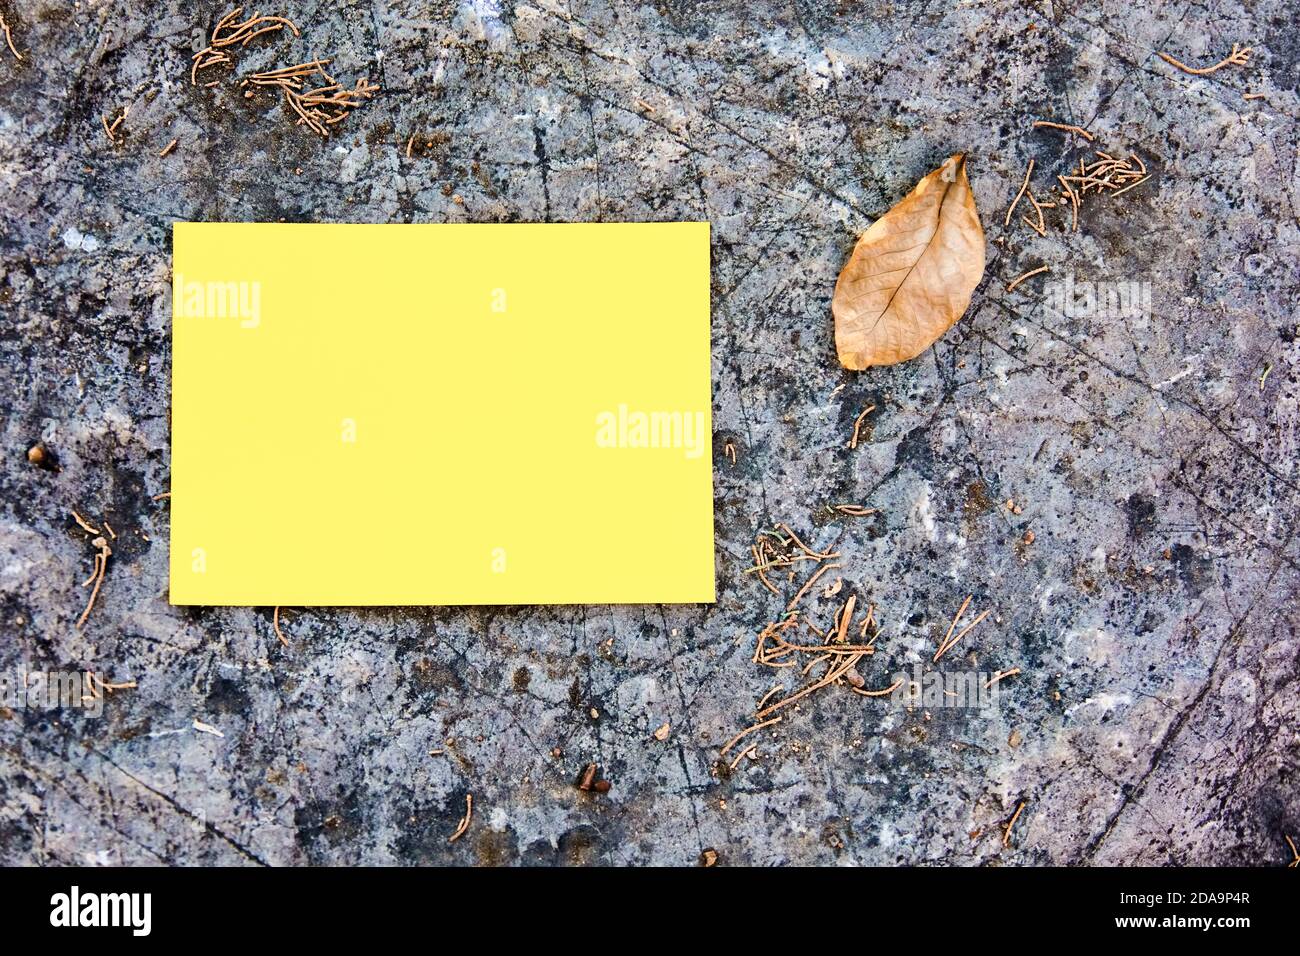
<point x="441" y="414"/>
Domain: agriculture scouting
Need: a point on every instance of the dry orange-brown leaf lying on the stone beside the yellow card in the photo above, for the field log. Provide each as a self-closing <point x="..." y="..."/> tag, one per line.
<point x="912" y="274"/>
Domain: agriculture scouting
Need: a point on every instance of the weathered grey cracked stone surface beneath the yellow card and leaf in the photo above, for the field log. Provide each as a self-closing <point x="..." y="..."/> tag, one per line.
<point x="1154" y="616"/>
